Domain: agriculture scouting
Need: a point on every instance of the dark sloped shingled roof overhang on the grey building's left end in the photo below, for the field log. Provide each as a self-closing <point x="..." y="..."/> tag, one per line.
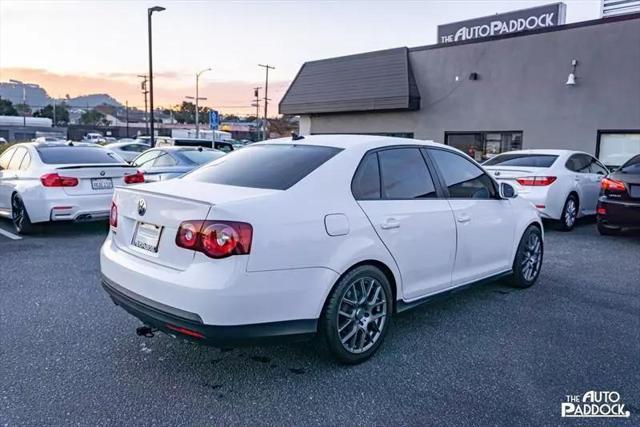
<point x="374" y="81"/>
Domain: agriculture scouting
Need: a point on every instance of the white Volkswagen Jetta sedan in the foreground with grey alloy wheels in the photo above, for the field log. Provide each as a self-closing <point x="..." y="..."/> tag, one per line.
<point x="326" y="235"/>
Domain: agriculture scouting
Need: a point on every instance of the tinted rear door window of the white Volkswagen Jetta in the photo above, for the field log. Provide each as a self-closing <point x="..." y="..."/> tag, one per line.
<point x="405" y="175"/>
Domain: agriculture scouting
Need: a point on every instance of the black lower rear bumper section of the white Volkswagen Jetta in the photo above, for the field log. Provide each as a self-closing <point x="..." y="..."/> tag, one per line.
<point x="189" y="325"/>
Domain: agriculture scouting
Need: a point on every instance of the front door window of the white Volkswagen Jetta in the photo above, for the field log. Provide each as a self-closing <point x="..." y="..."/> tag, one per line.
<point x="463" y="179"/>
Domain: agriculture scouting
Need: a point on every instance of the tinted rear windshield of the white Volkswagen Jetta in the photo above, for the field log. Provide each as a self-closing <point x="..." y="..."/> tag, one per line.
<point x="276" y="167"/>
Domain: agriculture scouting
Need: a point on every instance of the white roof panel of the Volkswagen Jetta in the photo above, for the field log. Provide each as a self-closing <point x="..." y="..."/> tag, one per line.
<point x="365" y="142"/>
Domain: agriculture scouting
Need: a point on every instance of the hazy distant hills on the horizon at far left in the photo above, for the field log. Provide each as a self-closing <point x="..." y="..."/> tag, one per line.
<point x="36" y="97"/>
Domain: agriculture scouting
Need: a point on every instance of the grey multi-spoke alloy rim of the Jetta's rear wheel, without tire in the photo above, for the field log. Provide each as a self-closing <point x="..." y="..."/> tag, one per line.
<point x="362" y="315"/>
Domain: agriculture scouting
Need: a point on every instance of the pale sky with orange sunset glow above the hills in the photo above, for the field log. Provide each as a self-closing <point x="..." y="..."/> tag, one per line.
<point x="82" y="47"/>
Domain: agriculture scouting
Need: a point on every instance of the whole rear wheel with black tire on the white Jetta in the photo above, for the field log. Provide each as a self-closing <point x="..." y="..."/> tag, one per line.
<point x="366" y="316"/>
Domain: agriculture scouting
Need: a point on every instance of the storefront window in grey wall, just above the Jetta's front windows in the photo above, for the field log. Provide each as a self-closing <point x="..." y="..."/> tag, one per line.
<point x="484" y="145"/>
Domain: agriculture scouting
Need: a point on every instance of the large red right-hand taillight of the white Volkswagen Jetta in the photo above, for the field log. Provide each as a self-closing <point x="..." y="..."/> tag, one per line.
<point x="216" y="239"/>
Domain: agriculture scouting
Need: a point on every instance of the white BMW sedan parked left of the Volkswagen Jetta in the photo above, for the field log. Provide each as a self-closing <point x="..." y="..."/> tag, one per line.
<point x="59" y="182"/>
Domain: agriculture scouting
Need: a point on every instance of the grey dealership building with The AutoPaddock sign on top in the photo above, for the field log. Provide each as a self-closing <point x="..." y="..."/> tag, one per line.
<point x="520" y="80"/>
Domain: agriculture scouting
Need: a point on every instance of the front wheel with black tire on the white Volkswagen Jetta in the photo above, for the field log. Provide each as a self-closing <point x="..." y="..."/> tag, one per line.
<point x="527" y="265"/>
